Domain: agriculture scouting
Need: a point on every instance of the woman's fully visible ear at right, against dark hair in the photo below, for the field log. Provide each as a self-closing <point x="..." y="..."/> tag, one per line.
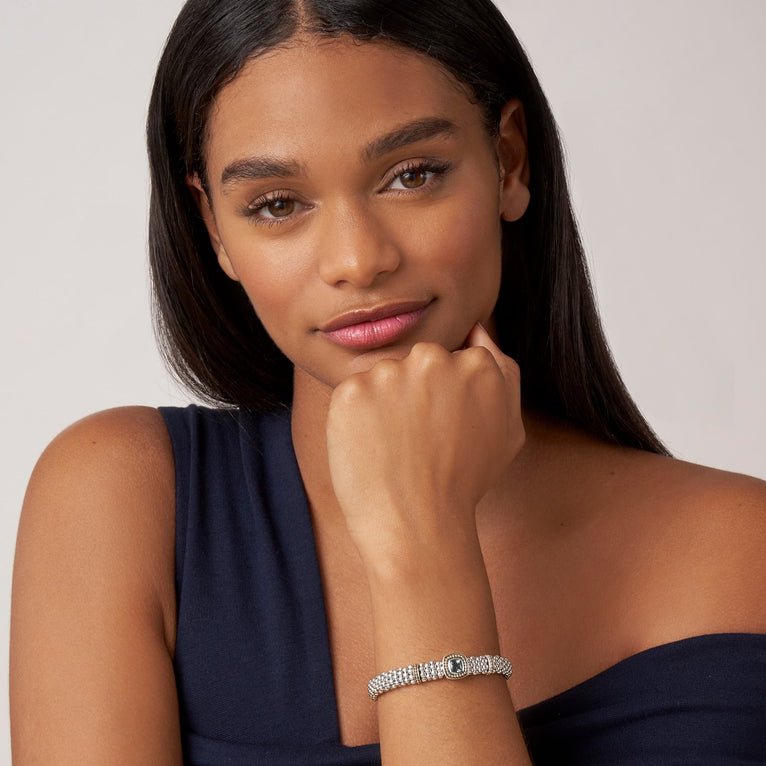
<point x="511" y="147"/>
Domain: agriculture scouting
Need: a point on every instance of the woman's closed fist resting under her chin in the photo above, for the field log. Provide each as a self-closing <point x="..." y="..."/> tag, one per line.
<point x="414" y="444"/>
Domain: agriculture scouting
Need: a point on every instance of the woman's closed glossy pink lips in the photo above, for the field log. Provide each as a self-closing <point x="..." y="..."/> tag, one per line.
<point x="369" y="329"/>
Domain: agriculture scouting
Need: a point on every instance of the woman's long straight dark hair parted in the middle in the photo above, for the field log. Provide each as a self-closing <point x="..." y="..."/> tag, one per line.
<point x="546" y="315"/>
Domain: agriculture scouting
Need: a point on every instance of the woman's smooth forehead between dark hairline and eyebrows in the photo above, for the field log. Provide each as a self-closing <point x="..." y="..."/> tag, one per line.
<point x="312" y="96"/>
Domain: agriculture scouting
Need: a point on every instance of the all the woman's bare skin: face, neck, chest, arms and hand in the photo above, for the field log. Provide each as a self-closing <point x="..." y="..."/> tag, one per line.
<point x="446" y="519"/>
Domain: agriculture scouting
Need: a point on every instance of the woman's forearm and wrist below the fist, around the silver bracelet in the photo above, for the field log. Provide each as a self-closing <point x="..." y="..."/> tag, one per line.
<point x="442" y="604"/>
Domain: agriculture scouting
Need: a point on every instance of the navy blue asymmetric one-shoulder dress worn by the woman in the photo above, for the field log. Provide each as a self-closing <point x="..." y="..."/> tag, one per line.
<point x="253" y="665"/>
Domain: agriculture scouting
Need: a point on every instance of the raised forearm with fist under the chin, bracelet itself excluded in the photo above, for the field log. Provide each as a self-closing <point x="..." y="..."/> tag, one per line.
<point x="413" y="447"/>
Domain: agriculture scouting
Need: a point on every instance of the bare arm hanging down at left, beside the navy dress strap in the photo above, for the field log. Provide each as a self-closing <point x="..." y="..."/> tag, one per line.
<point x="92" y="619"/>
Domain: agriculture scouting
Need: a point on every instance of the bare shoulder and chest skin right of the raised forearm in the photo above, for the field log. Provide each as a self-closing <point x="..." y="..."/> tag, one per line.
<point x="620" y="550"/>
